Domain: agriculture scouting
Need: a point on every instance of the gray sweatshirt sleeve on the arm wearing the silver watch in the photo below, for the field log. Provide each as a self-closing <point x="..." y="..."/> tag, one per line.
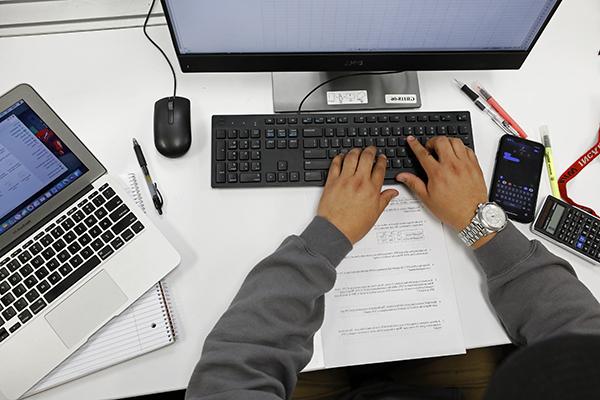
<point x="535" y="293"/>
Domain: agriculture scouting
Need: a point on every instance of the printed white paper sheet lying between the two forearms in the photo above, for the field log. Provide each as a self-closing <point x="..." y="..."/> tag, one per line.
<point x="394" y="296"/>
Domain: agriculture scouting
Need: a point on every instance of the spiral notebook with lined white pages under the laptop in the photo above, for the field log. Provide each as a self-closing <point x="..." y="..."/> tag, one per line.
<point x="144" y="327"/>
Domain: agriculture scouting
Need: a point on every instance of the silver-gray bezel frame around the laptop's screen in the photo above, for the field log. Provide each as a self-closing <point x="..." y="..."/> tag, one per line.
<point x="47" y="210"/>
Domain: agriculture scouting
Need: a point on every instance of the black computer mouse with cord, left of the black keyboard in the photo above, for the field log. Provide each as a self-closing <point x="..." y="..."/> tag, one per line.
<point x="172" y="126"/>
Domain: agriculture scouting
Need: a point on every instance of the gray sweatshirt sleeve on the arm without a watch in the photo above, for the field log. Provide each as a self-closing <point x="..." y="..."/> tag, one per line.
<point x="264" y="339"/>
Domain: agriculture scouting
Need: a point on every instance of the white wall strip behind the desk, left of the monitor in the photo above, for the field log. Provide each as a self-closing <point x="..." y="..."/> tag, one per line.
<point x="33" y="17"/>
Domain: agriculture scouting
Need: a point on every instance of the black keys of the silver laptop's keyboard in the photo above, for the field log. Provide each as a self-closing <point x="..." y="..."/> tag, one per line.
<point x="43" y="268"/>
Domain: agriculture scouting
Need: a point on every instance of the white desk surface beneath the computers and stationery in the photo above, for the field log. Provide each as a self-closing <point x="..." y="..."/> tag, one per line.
<point x="104" y="85"/>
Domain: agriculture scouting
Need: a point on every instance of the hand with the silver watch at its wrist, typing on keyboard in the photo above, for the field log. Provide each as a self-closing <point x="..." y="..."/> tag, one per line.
<point x="455" y="185"/>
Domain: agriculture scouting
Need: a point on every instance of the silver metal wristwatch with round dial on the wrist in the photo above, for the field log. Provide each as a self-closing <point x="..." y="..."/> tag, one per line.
<point x="489" y="218"/>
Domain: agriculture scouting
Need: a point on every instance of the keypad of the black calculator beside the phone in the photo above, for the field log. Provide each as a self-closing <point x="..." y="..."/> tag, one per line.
<point x="581" y="232"/>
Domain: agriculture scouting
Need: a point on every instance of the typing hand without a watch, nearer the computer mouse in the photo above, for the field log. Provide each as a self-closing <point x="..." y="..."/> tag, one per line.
<point x="352" y="199"/>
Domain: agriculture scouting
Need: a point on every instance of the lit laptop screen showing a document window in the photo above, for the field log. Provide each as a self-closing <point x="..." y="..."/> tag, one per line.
<point x="35" y="164"/>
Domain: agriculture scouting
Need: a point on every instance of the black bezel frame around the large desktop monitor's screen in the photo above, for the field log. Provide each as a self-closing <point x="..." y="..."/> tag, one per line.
<point x="376" y="61"/>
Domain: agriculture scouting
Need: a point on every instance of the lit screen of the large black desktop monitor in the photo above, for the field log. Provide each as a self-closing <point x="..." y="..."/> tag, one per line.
<point x="355" y="26"/>
